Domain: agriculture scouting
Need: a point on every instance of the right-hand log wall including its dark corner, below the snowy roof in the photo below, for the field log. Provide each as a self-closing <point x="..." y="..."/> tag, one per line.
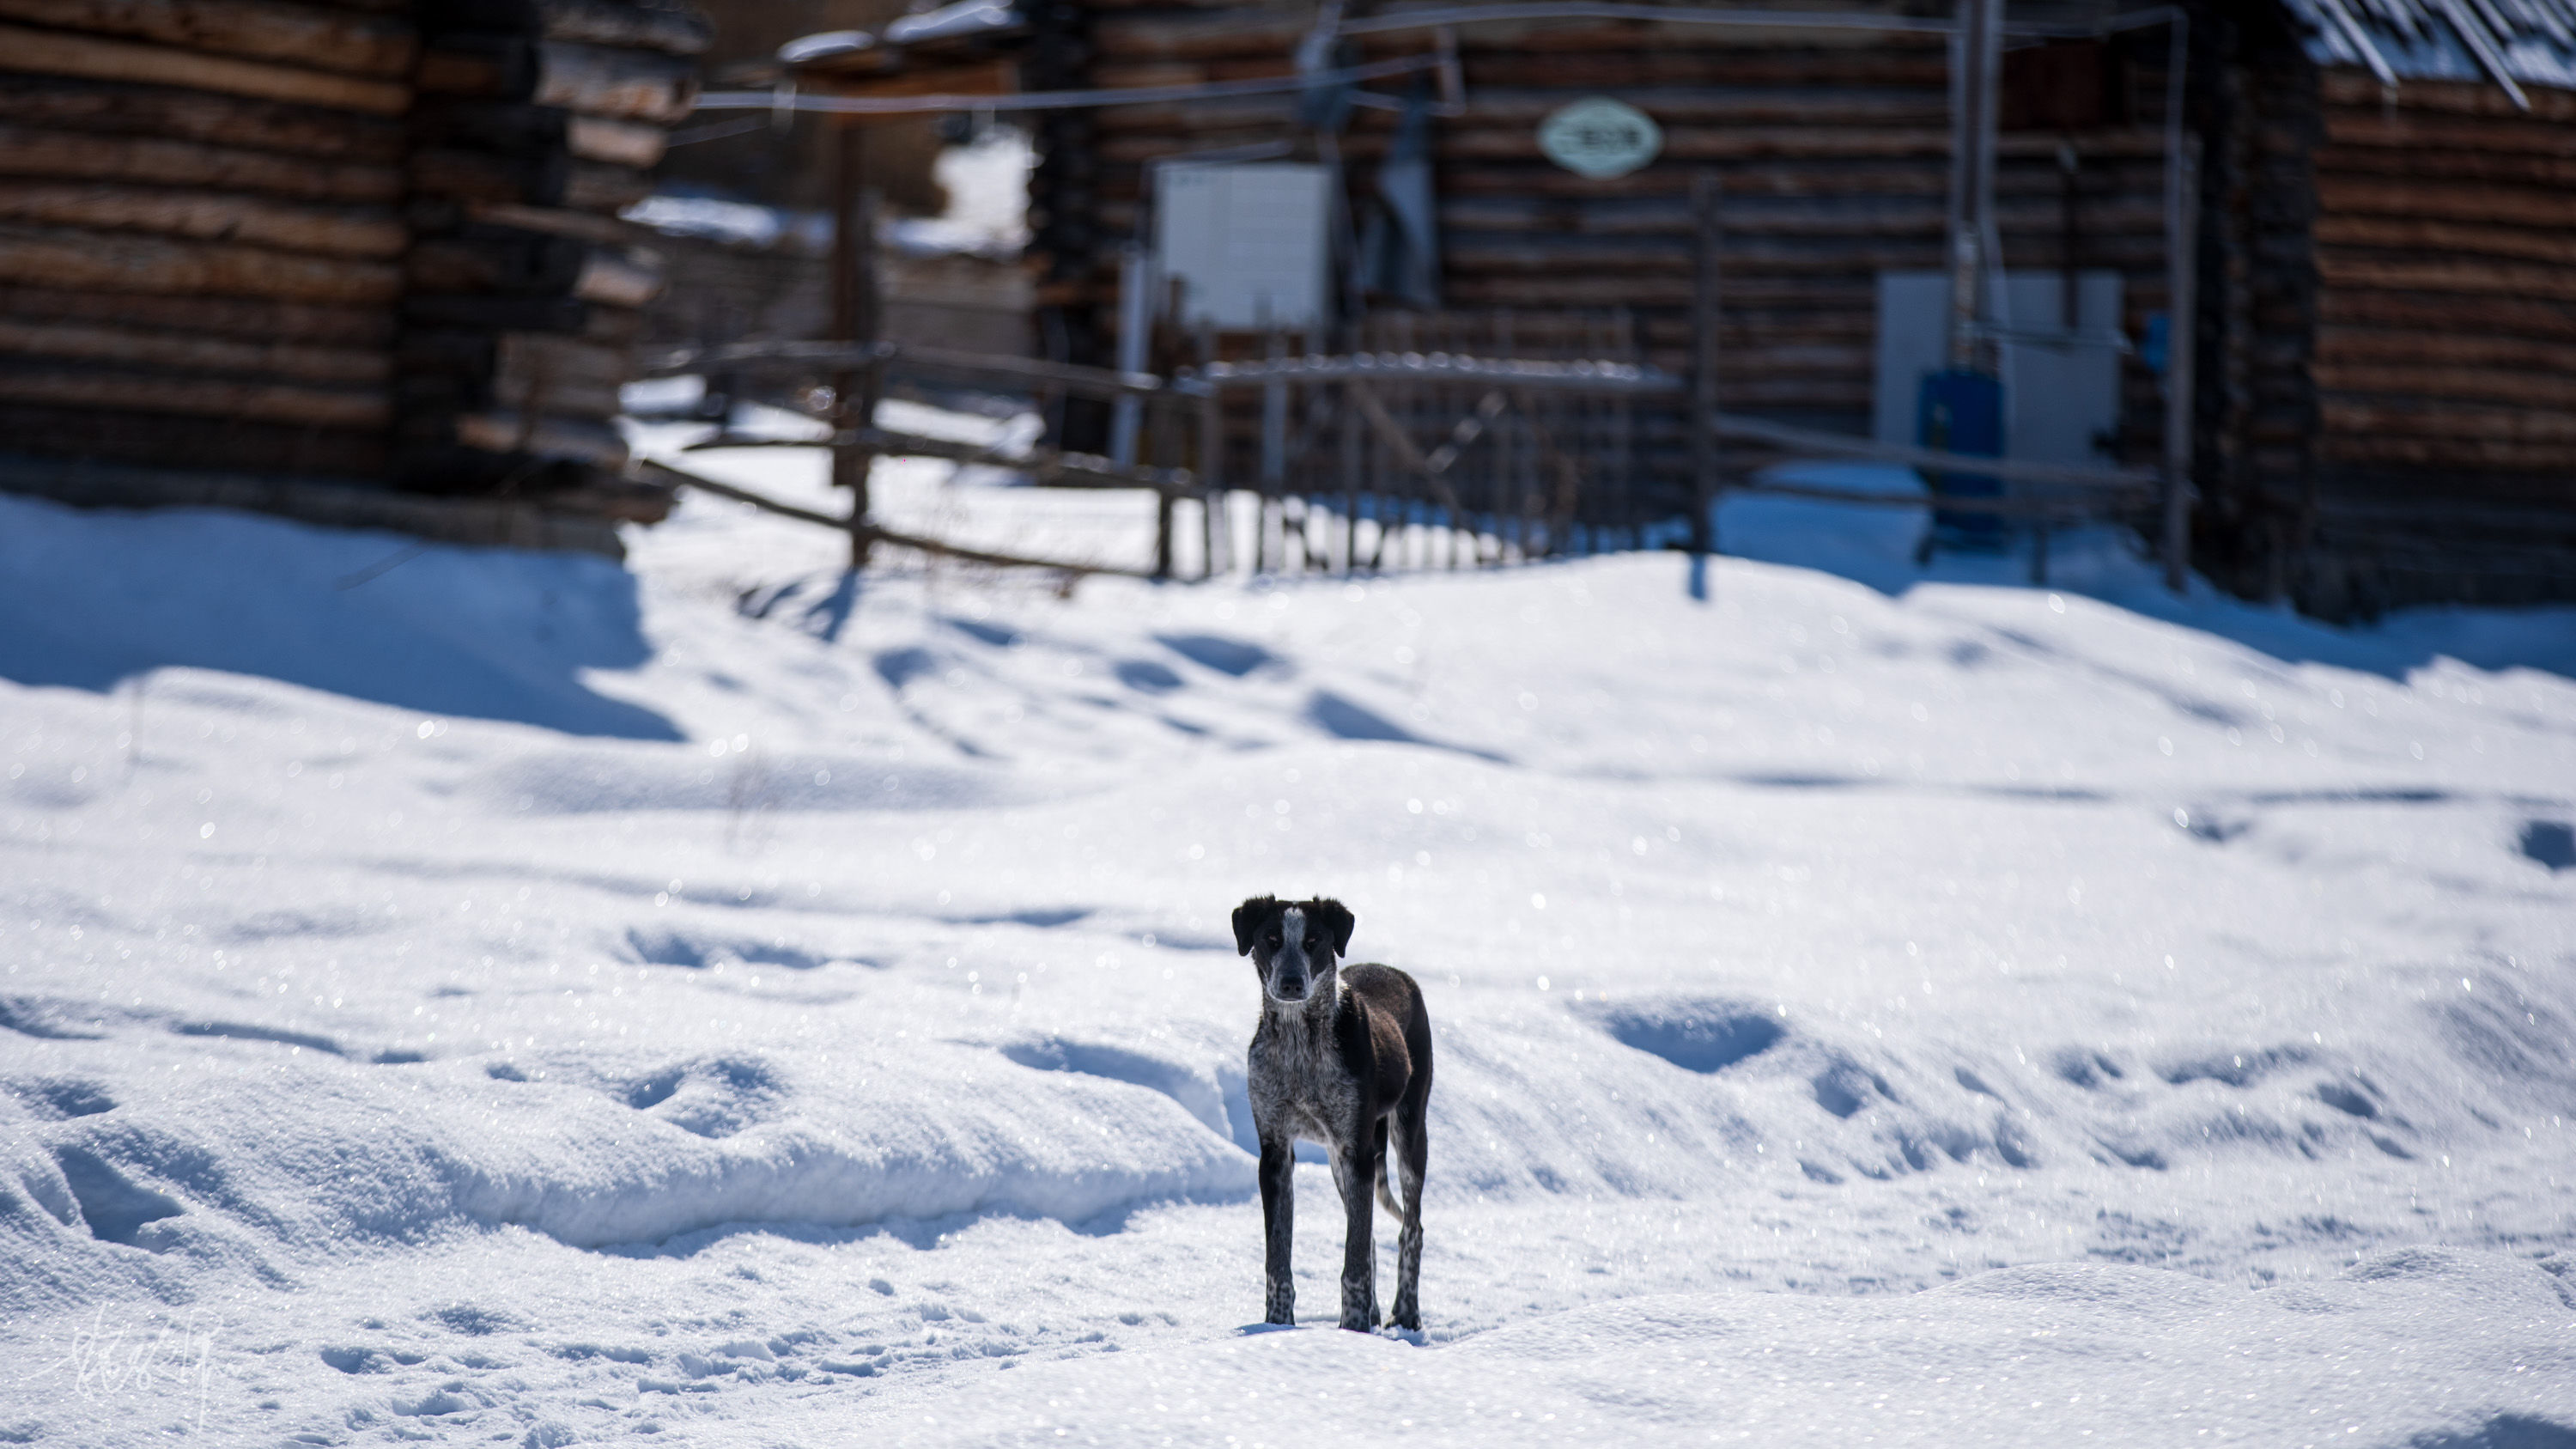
<point x="2387" y="331"/>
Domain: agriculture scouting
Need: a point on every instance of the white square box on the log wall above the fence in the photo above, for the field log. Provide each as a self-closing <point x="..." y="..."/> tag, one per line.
<point x="1245" y="244"/>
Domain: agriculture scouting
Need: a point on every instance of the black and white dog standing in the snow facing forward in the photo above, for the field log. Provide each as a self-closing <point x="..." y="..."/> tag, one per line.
<point x="1341" y="1058"/>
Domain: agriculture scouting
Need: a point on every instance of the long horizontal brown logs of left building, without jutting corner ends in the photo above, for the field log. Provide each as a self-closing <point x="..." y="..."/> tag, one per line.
<point x="202" y="231"/>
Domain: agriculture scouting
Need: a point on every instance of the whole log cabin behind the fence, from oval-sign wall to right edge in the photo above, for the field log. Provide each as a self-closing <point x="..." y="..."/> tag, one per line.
<point x="2379" y="277"/>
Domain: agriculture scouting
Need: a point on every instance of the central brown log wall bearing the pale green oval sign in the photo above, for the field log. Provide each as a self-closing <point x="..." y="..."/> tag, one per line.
<point x="1833" y="151"/>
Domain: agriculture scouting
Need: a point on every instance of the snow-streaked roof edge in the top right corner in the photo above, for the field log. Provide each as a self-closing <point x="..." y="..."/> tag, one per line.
<point x="2448" y="40"/>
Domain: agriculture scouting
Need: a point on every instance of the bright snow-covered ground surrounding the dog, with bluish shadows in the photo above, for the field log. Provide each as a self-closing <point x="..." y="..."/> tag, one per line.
<point x="524" y="1002"/>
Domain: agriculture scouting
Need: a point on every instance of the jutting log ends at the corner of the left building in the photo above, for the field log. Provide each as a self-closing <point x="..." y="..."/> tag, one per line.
<point x="537" y="125"/>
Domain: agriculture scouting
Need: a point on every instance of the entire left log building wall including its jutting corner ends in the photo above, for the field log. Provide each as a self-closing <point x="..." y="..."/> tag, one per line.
<point x="344" y="238"/>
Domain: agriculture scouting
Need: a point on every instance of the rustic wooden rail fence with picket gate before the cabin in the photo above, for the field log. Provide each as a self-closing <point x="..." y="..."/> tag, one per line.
<point x="1379" y="460"/>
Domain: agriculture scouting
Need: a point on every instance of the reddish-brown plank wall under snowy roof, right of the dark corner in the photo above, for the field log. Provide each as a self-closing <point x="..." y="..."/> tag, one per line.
<point x="2446" y="347"/>
